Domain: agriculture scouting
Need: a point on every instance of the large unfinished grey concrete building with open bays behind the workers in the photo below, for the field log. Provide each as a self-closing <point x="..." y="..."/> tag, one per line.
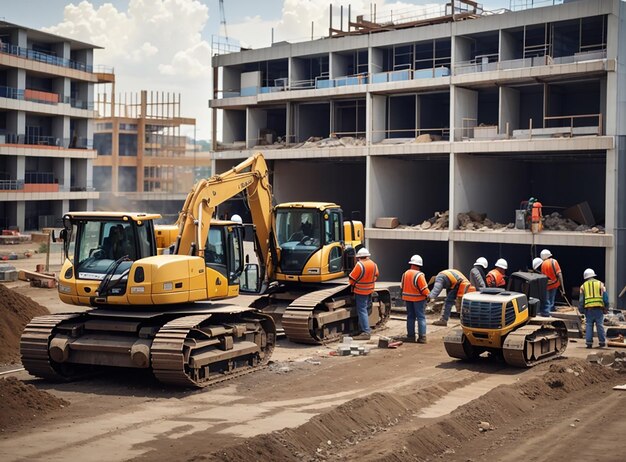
<point x="464" y="111"/>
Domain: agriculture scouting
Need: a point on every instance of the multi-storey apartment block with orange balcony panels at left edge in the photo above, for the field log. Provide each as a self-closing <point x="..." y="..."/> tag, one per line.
<point x="46" y="138"/>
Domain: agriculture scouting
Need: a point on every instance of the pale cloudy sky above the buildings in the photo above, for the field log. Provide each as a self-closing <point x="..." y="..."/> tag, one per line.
<point x="165" y="45"/>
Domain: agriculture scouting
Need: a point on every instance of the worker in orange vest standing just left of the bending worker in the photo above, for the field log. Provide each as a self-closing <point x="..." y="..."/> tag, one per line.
<point x="414" y="293"/>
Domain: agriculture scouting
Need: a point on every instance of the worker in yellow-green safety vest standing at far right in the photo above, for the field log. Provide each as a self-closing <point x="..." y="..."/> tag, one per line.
<point x="595" y="301"/>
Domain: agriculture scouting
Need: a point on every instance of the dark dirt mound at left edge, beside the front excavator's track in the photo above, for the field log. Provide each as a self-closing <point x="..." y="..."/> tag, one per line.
<point x="16" y="310"/>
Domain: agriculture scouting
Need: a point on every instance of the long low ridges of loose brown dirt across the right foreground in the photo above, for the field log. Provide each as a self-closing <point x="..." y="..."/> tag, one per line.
<point x="355" y="429"/>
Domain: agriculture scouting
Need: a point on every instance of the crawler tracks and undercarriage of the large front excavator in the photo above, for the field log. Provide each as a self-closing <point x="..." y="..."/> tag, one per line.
<point x="187" y="350"/>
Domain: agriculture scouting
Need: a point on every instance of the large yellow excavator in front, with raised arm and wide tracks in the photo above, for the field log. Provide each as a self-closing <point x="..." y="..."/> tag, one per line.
<point x="165" y="311"/>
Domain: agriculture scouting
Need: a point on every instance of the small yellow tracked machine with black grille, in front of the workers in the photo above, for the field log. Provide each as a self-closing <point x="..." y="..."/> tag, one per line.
<point x="504" y="323"/>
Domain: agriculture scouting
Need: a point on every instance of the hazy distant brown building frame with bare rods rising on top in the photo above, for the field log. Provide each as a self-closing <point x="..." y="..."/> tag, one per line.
<point x="145" y="160"/>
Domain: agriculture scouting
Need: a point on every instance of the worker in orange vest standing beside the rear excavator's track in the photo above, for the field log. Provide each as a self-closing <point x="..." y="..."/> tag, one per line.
<point x="362" y="279"/>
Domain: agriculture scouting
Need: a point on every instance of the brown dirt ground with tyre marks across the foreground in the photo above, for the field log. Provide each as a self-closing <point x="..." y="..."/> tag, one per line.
<point x="413" y="403"/>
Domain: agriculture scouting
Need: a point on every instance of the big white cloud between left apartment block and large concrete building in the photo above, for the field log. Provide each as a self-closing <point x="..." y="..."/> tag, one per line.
<point x="154" y="45"/>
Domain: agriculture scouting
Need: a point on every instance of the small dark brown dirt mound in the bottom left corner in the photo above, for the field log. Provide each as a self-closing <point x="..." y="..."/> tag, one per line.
<point x="20" y="403"/>
